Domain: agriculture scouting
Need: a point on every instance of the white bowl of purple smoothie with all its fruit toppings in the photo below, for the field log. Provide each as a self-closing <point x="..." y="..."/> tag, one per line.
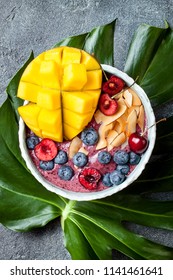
<point x="86" y="130"/>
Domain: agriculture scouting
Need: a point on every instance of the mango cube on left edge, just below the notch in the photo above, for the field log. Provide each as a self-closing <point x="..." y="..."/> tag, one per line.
<point x="29" y="114"/>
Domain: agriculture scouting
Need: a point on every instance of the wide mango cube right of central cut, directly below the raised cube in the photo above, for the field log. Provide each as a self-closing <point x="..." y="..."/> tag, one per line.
<point x="79" y="102"/>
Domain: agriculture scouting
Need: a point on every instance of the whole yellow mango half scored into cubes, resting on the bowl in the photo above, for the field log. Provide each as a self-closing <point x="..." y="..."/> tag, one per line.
<point x="62" y="87"/>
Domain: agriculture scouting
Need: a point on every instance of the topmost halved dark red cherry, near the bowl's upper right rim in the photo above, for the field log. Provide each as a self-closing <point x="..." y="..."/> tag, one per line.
<point x="113" y="85"/>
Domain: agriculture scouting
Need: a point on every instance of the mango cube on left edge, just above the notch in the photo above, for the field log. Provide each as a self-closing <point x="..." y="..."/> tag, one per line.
<point x="28" y="91"/>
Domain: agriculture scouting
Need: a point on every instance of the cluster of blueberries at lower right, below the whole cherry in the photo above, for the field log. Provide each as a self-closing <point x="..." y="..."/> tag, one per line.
<point x="122" y="160"/>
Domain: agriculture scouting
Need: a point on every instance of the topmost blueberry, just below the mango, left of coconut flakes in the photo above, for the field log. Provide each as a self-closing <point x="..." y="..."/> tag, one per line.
<point x="89" y="136"/>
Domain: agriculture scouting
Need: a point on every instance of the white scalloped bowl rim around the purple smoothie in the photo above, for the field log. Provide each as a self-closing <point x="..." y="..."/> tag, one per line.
<point x="80" y="196"/>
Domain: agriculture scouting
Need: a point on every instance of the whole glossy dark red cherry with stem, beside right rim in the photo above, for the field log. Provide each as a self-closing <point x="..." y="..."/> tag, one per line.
<point x="137" y="143"/>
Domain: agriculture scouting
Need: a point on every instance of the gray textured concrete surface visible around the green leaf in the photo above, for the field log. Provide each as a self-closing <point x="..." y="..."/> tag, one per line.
<point x="37" y="25"/>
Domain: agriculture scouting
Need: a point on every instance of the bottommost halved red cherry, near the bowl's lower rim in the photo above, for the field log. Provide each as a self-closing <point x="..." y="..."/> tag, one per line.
<point x="89" y="178"/>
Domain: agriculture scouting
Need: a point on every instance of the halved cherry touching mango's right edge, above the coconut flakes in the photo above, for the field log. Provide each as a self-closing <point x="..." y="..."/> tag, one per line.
<point x="107" y="105"/>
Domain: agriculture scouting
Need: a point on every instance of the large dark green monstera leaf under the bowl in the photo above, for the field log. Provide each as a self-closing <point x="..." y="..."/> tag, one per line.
<point x="97" y="227"/>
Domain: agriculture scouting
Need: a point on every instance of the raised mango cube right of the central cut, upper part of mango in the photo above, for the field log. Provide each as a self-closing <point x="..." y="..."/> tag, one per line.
<point x="74" y="77"/>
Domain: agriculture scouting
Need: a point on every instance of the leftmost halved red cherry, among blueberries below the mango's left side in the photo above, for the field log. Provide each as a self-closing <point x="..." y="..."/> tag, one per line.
<point x="46" y="150"/>
